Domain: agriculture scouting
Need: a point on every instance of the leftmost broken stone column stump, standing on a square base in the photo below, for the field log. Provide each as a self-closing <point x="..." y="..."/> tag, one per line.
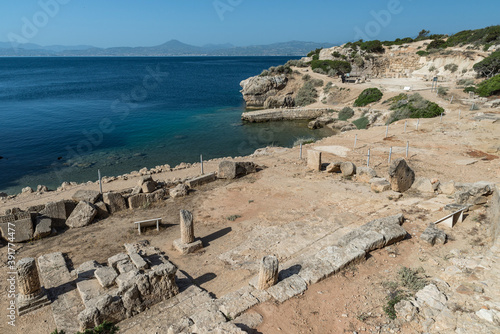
<point x="31" y="295"/>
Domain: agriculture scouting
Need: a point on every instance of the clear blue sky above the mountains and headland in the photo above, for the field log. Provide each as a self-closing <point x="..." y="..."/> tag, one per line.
<point x="109" y="23"/>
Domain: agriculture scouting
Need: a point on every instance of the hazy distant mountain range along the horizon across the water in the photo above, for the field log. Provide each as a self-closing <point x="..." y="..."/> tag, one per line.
<point x="171" y="48"/>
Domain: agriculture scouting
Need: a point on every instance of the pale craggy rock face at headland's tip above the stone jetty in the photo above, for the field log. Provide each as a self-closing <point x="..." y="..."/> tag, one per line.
<point x="256" y="90"/>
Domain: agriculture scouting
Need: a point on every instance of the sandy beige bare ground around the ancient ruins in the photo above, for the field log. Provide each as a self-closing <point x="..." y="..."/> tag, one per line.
<point x="283" y="209"/>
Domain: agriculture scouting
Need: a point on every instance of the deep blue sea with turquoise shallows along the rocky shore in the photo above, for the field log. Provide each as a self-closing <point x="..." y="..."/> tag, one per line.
<point x="62" y="119"/>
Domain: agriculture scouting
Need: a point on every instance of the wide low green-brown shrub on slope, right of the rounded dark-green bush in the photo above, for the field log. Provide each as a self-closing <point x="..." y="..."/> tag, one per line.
<point x="413" y="106"/>
